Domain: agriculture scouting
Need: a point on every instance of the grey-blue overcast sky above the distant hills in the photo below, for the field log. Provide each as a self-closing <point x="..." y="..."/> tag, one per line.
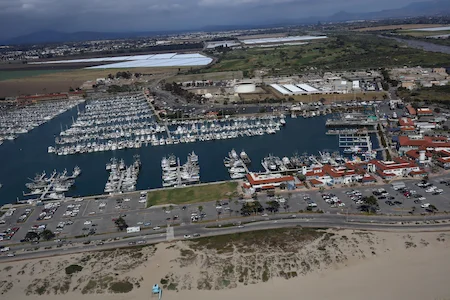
<point x="26" y="16"/>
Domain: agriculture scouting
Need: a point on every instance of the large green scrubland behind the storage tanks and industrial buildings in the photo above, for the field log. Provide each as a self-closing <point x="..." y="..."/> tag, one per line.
<point x="342" y="51"/>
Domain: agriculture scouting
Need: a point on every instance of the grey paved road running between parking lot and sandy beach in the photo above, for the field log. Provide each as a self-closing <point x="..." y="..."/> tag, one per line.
<point x="113" y="241"/>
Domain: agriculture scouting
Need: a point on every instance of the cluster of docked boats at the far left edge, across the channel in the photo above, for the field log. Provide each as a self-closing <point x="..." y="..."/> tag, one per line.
<point x="21" y="120"/>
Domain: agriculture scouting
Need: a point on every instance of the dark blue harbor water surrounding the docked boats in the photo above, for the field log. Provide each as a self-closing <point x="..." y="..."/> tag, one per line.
<point x="27" y="155"/>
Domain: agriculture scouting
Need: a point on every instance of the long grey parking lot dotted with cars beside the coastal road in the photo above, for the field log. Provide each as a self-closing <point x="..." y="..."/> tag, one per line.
<point x="92" y="216"/>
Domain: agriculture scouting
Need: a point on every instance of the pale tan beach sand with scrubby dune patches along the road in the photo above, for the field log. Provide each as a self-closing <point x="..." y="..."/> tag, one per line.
<point x="333" y="265"/>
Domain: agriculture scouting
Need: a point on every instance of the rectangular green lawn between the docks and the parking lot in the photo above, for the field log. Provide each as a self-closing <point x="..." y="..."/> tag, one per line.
<point x="192" y="194"/>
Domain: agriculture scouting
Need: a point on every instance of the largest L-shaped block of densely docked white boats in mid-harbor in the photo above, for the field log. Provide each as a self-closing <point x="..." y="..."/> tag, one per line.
<point x="127" y="122"/>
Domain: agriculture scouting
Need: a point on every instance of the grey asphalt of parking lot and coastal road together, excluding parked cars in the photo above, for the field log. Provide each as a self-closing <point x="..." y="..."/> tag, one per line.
<point x="179" y="220"/>
